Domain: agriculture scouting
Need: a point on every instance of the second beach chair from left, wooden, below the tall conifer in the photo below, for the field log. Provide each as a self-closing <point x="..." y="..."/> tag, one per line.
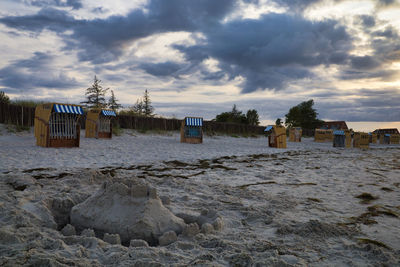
<point x="98" y="123"/>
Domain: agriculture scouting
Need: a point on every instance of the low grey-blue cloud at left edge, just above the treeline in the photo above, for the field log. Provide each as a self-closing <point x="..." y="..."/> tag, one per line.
<point x="33" y="73"/>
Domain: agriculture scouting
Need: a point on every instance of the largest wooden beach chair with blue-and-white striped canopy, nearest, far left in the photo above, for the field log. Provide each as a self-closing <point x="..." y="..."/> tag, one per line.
<point x="57" y="125"/>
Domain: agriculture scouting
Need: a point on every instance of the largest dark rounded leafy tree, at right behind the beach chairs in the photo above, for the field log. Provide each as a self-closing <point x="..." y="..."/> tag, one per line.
<point x="303" y="115"/>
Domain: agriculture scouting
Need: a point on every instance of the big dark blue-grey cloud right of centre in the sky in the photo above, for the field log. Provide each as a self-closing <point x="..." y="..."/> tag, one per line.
<point x="273" y="50"/>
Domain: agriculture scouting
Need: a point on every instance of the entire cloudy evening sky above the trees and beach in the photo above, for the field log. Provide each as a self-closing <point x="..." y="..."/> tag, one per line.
<point x="199" y="57"/>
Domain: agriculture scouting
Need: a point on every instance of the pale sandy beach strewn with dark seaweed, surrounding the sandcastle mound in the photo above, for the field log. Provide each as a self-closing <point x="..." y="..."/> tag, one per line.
<point x="307" y="205"/>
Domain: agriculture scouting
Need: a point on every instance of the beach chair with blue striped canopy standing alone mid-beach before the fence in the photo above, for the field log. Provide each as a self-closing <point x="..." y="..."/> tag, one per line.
<point x="192" y="130"/>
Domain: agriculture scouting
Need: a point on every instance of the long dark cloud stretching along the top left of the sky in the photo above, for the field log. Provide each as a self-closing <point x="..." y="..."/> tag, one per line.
<point x="103" y="40"/>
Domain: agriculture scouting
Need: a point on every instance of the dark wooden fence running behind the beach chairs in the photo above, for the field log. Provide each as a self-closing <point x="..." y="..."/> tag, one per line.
<point x="15" y="114"/>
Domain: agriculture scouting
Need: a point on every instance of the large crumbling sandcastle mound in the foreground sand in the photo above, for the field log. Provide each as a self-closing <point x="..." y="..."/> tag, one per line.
<point x="132" y="210"/>
